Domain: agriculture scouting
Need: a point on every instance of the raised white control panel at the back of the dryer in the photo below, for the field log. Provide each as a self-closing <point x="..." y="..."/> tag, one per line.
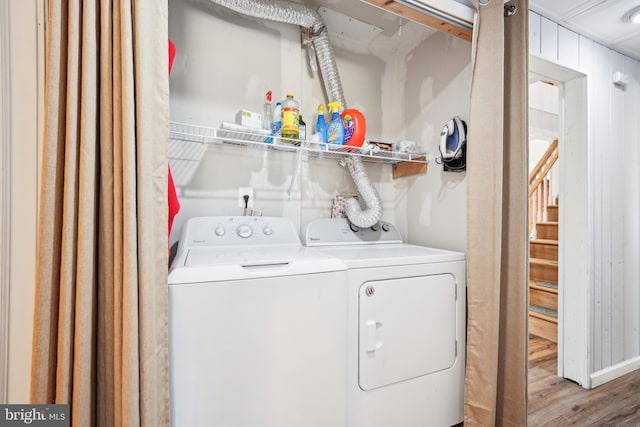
<point x="340" y="231"/>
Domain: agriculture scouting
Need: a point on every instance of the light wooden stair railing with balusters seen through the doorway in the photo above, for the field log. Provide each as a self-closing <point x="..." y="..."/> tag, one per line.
<point x="539" y="186"/>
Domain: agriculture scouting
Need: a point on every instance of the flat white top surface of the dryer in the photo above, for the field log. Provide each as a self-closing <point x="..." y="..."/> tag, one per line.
<point x="391" y="254"/>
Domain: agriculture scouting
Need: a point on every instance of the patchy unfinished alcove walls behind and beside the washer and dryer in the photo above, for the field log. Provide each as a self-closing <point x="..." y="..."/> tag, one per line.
<point x="407" y="83"/>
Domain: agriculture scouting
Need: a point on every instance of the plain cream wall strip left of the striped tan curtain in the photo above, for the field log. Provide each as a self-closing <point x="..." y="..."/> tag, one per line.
<point x="21" y="78"/>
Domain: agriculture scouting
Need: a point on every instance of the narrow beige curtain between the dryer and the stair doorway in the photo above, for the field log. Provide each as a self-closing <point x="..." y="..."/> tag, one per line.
<point x="497" y="238"/>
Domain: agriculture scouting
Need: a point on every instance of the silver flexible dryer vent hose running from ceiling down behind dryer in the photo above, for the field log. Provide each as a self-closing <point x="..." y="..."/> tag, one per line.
<point x="289" y="12"/>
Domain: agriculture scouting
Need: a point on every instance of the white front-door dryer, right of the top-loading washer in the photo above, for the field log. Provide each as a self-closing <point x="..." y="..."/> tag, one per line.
<point x="406" y="325"/>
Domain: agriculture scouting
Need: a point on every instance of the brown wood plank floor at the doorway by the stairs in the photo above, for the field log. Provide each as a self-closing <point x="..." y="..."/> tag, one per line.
<point x="556" y="402"/>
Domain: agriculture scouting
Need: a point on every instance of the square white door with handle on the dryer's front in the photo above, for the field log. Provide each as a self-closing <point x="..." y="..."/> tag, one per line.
<point x="407" y="328"/>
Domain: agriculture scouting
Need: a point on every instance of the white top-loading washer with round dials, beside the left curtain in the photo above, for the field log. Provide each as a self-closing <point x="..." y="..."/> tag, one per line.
<point x="256" y="327"/>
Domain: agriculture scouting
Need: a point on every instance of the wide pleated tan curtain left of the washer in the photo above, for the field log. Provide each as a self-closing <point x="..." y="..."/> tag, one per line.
<point x="100" y="337"/>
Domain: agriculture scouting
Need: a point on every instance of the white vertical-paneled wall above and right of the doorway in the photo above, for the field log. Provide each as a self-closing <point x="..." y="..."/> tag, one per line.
<point x="614" y="192"/>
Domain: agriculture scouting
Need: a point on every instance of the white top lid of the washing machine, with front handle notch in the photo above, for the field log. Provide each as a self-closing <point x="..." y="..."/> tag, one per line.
<point x="218" y="264"/>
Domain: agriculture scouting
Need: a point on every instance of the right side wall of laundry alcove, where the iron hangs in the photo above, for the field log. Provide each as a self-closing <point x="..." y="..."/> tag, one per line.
<point x="437" y="201"/>
